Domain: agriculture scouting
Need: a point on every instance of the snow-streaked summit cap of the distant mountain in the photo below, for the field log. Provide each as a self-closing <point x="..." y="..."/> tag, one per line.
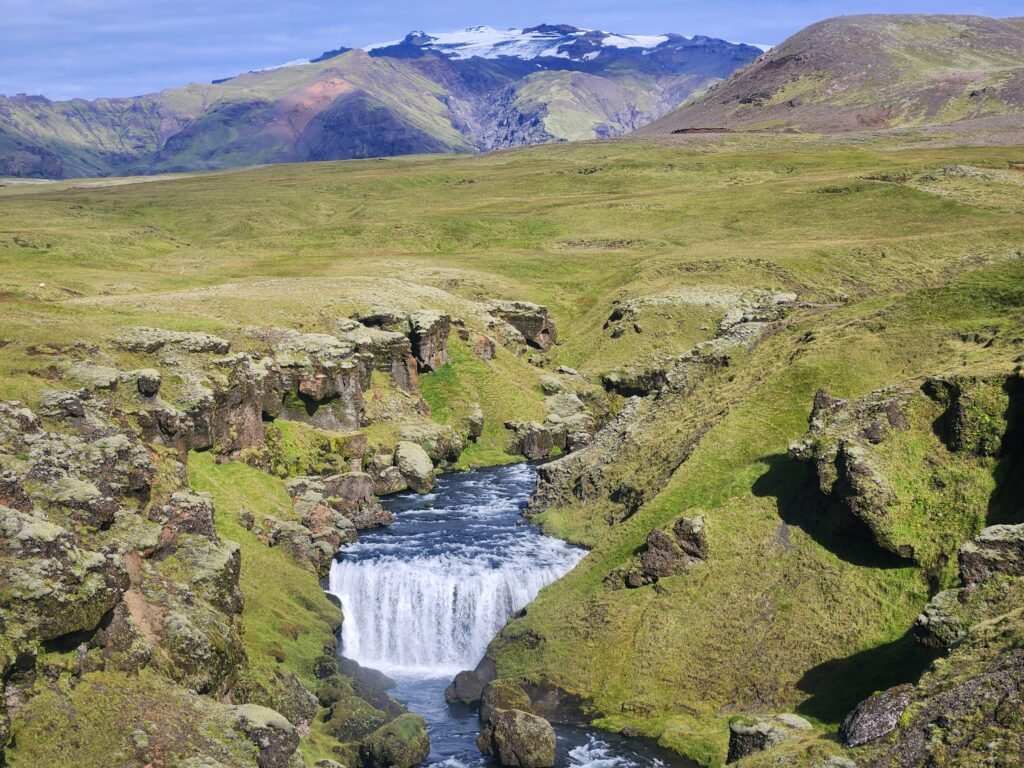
<point x="544" y="41"/>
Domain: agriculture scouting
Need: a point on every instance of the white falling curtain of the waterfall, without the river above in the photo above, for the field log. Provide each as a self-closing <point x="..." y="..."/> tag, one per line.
<point x="434" y="615"/>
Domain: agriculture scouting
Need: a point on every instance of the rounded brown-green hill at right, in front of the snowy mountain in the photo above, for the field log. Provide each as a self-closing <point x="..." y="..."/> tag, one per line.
<point x="872" y="72"/>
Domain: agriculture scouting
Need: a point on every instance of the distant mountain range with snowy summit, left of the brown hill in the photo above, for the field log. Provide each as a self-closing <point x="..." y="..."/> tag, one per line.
<point x="448" y="93"/>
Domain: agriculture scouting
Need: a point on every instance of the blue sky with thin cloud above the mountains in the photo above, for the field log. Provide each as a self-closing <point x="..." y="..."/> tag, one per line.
<point x="91" y="49"/>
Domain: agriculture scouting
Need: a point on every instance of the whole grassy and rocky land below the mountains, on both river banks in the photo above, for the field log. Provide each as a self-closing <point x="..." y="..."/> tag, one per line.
<point x="704" y="296"/>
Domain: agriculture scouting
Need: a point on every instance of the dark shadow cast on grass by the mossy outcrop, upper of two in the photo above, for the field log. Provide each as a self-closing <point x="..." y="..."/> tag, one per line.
<point x="801" y="503"/>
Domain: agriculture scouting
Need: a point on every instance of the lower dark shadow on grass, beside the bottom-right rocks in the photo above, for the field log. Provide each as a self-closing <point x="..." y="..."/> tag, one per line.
<point x="837" y="687"/>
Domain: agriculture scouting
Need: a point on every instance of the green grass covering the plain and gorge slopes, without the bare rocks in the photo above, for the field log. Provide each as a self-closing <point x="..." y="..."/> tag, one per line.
<point x="903" y="280"/>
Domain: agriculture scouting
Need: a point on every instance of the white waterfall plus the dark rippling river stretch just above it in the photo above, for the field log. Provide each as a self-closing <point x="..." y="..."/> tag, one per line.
<point x="428" y="595"/>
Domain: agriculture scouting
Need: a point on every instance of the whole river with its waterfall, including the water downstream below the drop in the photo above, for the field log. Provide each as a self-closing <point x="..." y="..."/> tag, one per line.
<point x="423" y="598"/>
